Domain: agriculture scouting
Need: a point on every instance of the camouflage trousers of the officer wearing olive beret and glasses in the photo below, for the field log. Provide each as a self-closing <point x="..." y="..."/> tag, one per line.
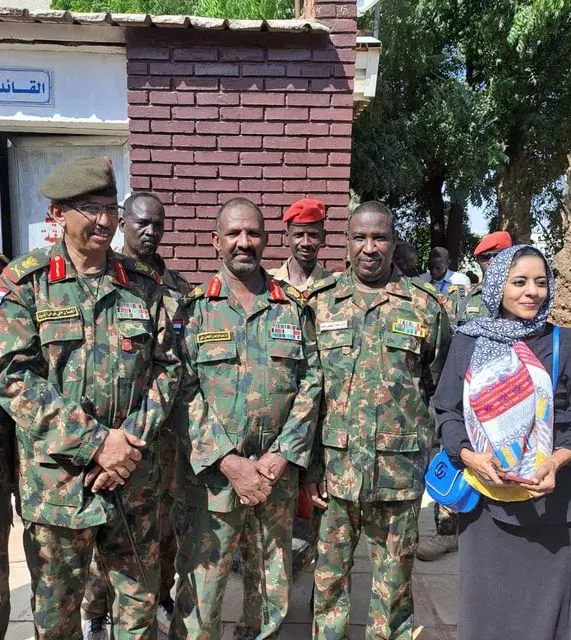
<point x="59" y="560"/>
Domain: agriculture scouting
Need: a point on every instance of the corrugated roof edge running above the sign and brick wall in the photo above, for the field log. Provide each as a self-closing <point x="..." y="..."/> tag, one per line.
<point x="10" y="14"/>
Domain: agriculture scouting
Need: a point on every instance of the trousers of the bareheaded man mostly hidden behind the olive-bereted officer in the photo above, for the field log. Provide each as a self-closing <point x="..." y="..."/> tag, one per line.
<point x="99" y="593"/>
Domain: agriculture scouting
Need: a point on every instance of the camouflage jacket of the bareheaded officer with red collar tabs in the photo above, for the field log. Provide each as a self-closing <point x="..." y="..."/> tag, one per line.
<point x="253" y="384"/>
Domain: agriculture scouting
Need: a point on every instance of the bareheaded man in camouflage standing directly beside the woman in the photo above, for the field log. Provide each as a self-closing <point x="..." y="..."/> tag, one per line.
<point x="382" y="341"/>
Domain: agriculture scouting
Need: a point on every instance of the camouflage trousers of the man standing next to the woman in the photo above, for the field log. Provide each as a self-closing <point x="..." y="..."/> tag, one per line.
<point x="391" y="529"/>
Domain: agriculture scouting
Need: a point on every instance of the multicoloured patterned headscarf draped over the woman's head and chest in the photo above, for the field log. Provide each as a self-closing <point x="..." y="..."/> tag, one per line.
<point x="508" y="399"/>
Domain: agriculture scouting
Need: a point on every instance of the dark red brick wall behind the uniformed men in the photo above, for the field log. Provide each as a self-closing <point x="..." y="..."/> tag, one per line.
<point x="267" y="116"/>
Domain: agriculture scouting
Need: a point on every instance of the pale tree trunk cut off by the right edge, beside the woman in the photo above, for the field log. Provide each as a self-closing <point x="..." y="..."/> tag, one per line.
<point x="562" y="263"/>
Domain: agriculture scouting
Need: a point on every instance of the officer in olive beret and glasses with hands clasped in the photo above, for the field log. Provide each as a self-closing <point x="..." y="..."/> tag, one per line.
<point x="88" y="370"/>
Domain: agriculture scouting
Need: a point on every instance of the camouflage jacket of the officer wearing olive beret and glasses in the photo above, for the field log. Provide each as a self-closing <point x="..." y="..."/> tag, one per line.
<point x="72" y="368"/>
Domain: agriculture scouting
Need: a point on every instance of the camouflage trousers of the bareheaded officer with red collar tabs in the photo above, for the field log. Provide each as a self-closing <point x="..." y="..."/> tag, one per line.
<point x="203" y="564"/>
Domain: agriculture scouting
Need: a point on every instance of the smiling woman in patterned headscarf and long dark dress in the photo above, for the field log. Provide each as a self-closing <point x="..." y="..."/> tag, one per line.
<point x="500" y="419"/>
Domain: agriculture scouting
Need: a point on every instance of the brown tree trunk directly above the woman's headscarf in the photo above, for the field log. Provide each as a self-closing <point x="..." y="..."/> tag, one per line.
<point x="514" y="192"/>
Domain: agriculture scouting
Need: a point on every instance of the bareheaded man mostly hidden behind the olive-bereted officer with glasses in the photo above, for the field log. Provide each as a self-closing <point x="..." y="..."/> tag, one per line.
<point x="142" y="224"/>
